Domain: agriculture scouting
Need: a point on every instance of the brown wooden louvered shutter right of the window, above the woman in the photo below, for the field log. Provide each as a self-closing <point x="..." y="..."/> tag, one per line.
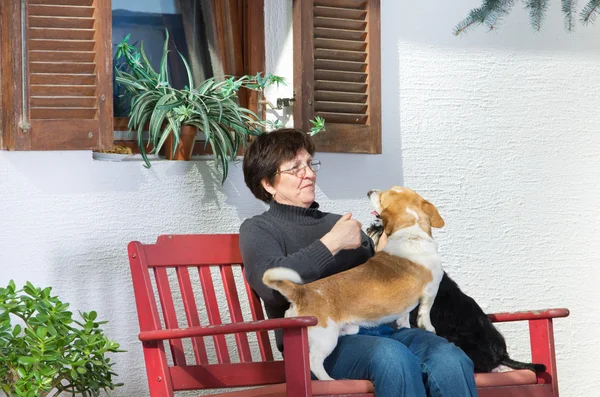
<point x="337" y="72"/>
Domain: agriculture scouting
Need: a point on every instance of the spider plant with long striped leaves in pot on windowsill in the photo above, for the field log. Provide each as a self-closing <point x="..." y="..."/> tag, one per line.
<point x="210" y="107"/>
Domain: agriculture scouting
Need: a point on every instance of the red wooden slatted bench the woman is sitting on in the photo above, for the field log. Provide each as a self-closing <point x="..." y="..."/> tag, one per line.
<point x="182" y="278"/>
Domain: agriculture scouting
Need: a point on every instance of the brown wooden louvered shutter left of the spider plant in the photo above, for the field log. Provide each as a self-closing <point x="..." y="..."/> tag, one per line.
<point x="68" y="87"/>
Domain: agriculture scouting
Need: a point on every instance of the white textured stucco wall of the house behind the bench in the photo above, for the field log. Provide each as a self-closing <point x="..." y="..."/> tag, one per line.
<point x="499" y="130"/>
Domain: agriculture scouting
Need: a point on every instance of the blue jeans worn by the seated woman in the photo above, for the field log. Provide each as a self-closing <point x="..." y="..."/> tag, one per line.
<point x="409" y="362"/>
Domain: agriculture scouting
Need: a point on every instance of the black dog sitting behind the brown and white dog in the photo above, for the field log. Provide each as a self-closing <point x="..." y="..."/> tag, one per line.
<point x="458" y="318"/>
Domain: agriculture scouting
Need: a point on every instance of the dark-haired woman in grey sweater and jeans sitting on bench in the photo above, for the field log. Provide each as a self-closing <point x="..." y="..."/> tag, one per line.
<point x="280" y="170"/>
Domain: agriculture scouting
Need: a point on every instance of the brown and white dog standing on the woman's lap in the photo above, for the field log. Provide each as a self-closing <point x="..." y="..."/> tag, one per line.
<point x="404" y="274"/>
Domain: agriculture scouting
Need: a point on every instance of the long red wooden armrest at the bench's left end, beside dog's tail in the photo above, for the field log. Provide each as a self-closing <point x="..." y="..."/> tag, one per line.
<point x="210" y="330"/>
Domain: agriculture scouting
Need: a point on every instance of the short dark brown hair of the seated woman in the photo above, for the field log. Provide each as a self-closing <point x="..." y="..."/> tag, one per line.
<point x="267" y="152"/>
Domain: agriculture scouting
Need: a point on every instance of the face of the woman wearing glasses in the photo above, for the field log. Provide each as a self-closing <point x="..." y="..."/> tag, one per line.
<point x="295" y="182"/>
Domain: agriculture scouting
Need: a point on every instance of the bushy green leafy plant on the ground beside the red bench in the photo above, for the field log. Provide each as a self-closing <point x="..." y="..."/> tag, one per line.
<point x="44" y="350"/>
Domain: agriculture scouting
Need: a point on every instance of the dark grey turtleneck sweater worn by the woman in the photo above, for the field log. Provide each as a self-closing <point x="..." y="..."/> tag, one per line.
<point x="289" y="236"/>
